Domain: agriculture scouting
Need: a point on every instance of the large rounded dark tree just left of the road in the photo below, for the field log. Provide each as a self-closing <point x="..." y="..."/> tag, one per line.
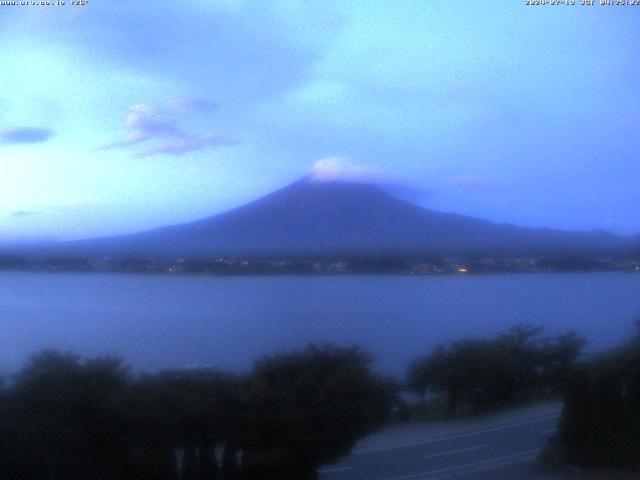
<point x="308" y="408"/>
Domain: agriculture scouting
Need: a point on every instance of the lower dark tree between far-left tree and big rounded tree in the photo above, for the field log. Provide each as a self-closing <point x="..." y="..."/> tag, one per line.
<point x="182" y="416"/>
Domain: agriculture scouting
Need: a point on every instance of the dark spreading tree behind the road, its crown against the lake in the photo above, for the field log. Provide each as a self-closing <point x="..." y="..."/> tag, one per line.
<point x="482" y="374"/>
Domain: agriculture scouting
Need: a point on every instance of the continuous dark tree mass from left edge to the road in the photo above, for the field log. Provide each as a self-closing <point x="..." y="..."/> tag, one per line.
<point x="64" y="418"/>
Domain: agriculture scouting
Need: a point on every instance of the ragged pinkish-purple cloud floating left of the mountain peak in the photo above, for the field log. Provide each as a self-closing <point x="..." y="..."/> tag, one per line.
<point x="160" y="128"/>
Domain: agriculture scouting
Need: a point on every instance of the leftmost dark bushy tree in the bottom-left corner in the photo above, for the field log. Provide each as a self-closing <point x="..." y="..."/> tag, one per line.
<point x="71" y="419"/>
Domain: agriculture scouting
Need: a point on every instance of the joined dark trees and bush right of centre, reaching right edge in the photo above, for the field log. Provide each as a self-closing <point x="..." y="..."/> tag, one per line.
<point x="600" y="425"/>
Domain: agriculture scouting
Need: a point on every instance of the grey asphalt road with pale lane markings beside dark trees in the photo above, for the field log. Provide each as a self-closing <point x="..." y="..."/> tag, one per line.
<point x="497" y="447"/>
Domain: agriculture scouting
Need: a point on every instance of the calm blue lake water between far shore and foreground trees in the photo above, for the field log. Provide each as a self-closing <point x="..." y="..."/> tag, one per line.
<point x="165" y="321"/>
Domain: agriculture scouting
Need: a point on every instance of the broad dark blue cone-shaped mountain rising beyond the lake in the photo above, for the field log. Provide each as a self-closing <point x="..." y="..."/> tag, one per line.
<point x="312" y="217"/>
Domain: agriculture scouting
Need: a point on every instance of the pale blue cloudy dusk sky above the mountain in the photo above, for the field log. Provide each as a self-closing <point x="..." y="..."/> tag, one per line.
<point x="120" y="116"/>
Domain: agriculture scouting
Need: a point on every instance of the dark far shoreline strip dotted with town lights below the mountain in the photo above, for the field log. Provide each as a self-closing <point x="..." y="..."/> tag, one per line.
<point x="339" y="266"/>
